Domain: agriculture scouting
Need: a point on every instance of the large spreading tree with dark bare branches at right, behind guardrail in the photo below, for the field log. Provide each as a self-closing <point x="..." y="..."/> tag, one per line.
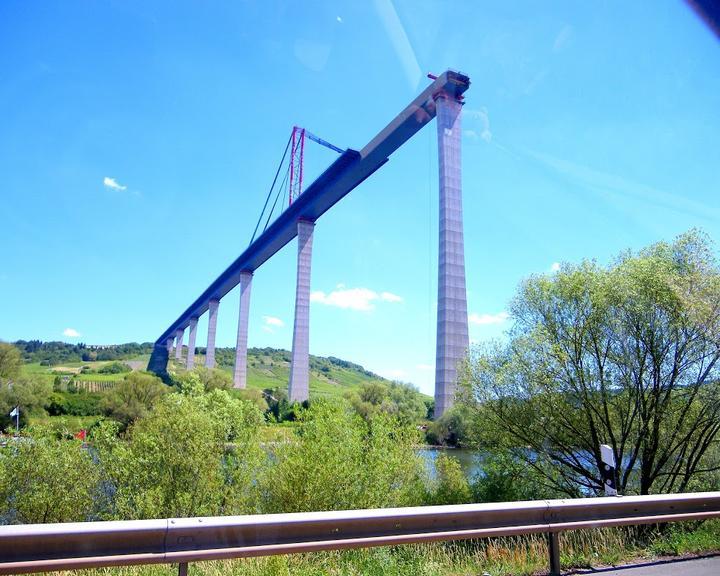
<point x="625" y="355"/>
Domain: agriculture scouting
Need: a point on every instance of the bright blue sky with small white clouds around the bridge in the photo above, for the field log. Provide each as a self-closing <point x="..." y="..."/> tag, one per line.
<point x="138" y="141"/>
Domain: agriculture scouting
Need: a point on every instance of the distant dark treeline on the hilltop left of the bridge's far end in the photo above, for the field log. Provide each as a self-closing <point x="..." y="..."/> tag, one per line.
<point x="53" y="353"/>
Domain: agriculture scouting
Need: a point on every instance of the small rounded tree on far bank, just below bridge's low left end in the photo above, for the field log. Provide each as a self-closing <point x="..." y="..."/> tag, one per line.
<point x="134" y="397"/>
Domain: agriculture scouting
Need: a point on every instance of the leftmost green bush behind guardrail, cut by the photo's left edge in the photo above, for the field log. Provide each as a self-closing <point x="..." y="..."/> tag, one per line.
<point x="46" y="480"/>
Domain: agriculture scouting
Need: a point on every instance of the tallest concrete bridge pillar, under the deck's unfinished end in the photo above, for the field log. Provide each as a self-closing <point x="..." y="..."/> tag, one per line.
<point x="452" y="321"/>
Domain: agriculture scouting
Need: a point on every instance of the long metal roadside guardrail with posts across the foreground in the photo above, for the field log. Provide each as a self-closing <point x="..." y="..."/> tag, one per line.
<point x="45" y="547"/>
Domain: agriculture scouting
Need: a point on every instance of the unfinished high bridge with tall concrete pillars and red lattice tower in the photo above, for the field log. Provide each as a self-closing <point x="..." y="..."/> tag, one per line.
<point x="442" y="99"/>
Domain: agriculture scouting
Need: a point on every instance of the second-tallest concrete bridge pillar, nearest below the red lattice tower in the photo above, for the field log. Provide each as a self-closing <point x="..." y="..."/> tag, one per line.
<point x="300" y="366"/>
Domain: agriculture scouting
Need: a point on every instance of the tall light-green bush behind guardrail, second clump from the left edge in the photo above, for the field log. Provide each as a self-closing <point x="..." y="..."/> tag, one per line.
<point x="176" y="461"/>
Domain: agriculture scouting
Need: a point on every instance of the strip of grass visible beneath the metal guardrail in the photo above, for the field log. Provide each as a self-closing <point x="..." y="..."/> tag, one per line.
<point x="500" y="556"/>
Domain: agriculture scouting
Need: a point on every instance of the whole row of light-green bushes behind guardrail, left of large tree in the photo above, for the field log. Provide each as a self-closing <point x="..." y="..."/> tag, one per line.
<point x="211" y="442"/>
